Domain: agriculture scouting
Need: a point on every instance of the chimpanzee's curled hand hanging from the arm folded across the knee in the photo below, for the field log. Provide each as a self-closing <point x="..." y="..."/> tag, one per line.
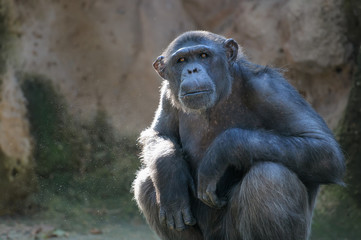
<point x="209" y="173"/>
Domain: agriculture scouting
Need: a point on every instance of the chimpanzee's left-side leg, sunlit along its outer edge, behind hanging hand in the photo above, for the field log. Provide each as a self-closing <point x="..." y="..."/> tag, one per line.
<point x="144" y="193"/>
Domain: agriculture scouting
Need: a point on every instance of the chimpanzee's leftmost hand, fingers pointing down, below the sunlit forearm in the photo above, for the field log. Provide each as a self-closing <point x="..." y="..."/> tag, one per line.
<point x="175" y="211"/>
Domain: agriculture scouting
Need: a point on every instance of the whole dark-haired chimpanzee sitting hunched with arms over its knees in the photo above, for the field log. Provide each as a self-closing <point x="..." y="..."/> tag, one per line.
<point x="234" y="152"/>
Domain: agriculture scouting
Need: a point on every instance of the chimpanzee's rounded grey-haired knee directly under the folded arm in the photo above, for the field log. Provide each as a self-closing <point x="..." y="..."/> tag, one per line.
<point x="272" y="203"/>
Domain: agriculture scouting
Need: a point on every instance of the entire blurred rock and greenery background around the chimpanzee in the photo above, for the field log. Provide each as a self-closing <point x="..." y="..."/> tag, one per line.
<point x="77" y="86"/>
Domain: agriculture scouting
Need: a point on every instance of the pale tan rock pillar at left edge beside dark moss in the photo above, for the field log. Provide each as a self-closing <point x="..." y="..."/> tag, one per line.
<point x="17" y="177"/>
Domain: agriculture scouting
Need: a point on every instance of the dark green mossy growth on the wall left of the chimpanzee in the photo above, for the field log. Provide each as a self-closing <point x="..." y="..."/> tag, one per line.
<point x="84" y="169"/>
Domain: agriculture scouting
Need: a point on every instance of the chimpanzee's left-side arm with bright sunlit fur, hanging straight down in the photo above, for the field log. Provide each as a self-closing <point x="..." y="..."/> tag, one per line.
<point x="169" y="171"/>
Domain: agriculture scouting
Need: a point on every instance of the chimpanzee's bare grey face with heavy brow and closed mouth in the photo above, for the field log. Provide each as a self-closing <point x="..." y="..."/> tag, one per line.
<point x="198" y="74"/>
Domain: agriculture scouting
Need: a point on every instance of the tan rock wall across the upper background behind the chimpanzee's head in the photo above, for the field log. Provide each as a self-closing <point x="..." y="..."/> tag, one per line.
<point x="99" y="54"/>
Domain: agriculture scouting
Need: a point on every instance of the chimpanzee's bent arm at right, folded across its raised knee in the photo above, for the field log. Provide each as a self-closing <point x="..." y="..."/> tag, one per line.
<point x="295" y="136"/>
